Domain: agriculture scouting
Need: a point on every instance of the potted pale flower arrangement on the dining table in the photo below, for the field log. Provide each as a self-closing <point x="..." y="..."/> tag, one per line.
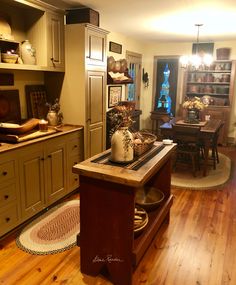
<point x="193" y="106"/>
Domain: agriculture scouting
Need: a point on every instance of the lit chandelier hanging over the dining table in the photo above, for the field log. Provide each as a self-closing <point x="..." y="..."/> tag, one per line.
<point x="197" y="60"/>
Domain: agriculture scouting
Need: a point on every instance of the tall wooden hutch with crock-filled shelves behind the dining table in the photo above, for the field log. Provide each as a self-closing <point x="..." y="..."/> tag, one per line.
<point x="215" y="87"/>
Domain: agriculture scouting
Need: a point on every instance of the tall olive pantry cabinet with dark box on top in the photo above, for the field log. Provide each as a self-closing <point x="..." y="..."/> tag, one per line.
<point x="83" y="96"/>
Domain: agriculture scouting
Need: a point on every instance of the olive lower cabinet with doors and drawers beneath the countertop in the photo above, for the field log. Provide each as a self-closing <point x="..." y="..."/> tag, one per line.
<point x="39" y="175"/>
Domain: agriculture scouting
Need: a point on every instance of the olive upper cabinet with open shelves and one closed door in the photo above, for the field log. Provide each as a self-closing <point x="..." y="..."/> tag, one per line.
<point x="42" y="25"/>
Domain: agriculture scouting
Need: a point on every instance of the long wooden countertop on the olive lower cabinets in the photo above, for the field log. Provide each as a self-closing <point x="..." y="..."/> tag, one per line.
<point x="62" y="130"/>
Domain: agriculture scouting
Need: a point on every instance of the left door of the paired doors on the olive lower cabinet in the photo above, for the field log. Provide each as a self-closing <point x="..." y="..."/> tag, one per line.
<point x="31" y="170"/>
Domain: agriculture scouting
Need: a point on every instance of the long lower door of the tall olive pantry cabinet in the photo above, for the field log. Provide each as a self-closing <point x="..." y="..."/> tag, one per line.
<point x="96" y="113"/>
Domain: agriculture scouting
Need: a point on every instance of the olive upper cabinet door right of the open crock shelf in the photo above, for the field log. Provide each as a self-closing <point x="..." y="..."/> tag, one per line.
<point x="55" y="40"/>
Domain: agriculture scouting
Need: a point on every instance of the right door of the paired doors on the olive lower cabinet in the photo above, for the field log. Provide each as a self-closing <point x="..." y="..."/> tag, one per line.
<point x="55" y="170"/>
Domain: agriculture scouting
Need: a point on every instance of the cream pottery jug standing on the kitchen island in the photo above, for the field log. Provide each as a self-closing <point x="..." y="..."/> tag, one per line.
<point x="122" y="145"/>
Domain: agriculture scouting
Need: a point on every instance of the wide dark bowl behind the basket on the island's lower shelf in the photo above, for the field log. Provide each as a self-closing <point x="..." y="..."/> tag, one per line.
<point x="149" y="198"/>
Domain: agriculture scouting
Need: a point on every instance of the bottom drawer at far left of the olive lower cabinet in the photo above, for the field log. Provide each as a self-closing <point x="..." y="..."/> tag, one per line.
<point x="8" y="219"/>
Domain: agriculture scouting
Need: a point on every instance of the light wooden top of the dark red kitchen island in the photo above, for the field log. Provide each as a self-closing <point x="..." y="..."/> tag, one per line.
<point x="120" y="174"/>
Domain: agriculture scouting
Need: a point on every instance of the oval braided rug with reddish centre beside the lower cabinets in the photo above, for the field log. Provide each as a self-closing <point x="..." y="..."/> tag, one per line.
<point x="53" y="232"/>
